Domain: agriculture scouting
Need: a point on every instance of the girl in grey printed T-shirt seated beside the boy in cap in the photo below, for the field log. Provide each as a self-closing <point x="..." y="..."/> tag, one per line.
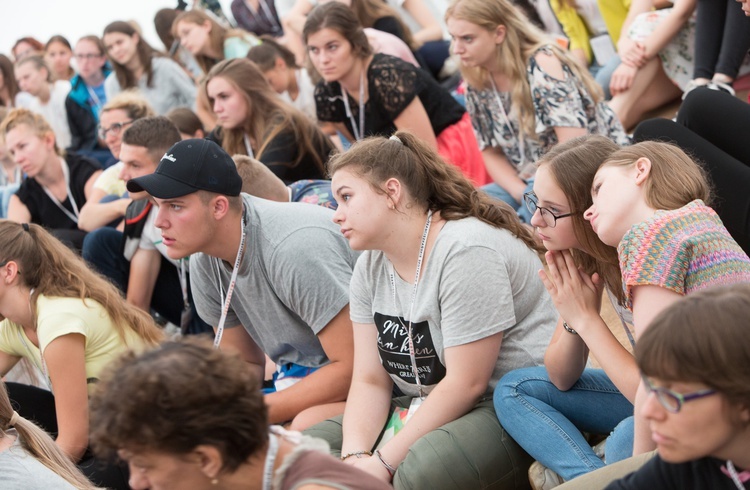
<point x="444" y="301"/>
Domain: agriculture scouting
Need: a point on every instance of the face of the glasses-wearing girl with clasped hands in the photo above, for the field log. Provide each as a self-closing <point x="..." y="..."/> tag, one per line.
<point x="550" y="196"/>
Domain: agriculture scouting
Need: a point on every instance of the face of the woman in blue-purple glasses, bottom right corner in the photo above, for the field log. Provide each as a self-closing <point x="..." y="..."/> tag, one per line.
<point x="706" y="426"/>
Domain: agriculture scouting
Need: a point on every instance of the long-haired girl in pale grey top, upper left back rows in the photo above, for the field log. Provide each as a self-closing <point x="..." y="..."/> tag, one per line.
<point x="139" y="66"/>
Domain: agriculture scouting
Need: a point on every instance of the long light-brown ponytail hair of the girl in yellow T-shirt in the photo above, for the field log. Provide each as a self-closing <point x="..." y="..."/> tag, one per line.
<point x="52" y="269"/>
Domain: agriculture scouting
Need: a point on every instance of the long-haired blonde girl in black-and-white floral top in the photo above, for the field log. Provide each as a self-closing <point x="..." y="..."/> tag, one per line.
<point x="524" y="93"/>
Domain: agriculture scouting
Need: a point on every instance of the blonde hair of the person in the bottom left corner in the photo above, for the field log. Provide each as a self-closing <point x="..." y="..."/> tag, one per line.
<point x="40" y="445"/>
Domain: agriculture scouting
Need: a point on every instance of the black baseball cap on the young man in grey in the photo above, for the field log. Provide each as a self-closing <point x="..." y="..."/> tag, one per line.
<point x="189" y="166"/>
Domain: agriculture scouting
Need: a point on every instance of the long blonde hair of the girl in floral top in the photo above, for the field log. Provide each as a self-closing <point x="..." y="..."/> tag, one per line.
<point x="522" y="40"/>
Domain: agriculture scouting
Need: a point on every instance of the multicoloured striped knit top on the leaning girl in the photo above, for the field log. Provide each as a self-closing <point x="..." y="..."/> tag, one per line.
<point x="683" y="250"/>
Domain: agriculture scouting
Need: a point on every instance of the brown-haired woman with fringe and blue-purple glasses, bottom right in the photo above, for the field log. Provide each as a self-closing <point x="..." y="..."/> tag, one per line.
<point x="697" y="396"/>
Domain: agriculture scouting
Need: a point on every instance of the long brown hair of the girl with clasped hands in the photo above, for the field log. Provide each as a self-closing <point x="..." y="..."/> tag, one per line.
<point x="573" y="165"/>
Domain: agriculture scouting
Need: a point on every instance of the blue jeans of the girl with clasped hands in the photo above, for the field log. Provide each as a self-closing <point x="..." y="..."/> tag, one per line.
<point x="547" y="422"/>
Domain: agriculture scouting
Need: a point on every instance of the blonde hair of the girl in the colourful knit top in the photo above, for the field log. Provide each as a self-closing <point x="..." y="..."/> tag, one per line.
<point x="674" y="180"/>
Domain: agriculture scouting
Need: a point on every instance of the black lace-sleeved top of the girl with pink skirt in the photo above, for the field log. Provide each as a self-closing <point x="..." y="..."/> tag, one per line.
<point x="393" y="84"/>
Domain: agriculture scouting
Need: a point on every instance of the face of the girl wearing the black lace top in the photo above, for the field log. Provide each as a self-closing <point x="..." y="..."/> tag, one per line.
<point x="331" y="54"/>
